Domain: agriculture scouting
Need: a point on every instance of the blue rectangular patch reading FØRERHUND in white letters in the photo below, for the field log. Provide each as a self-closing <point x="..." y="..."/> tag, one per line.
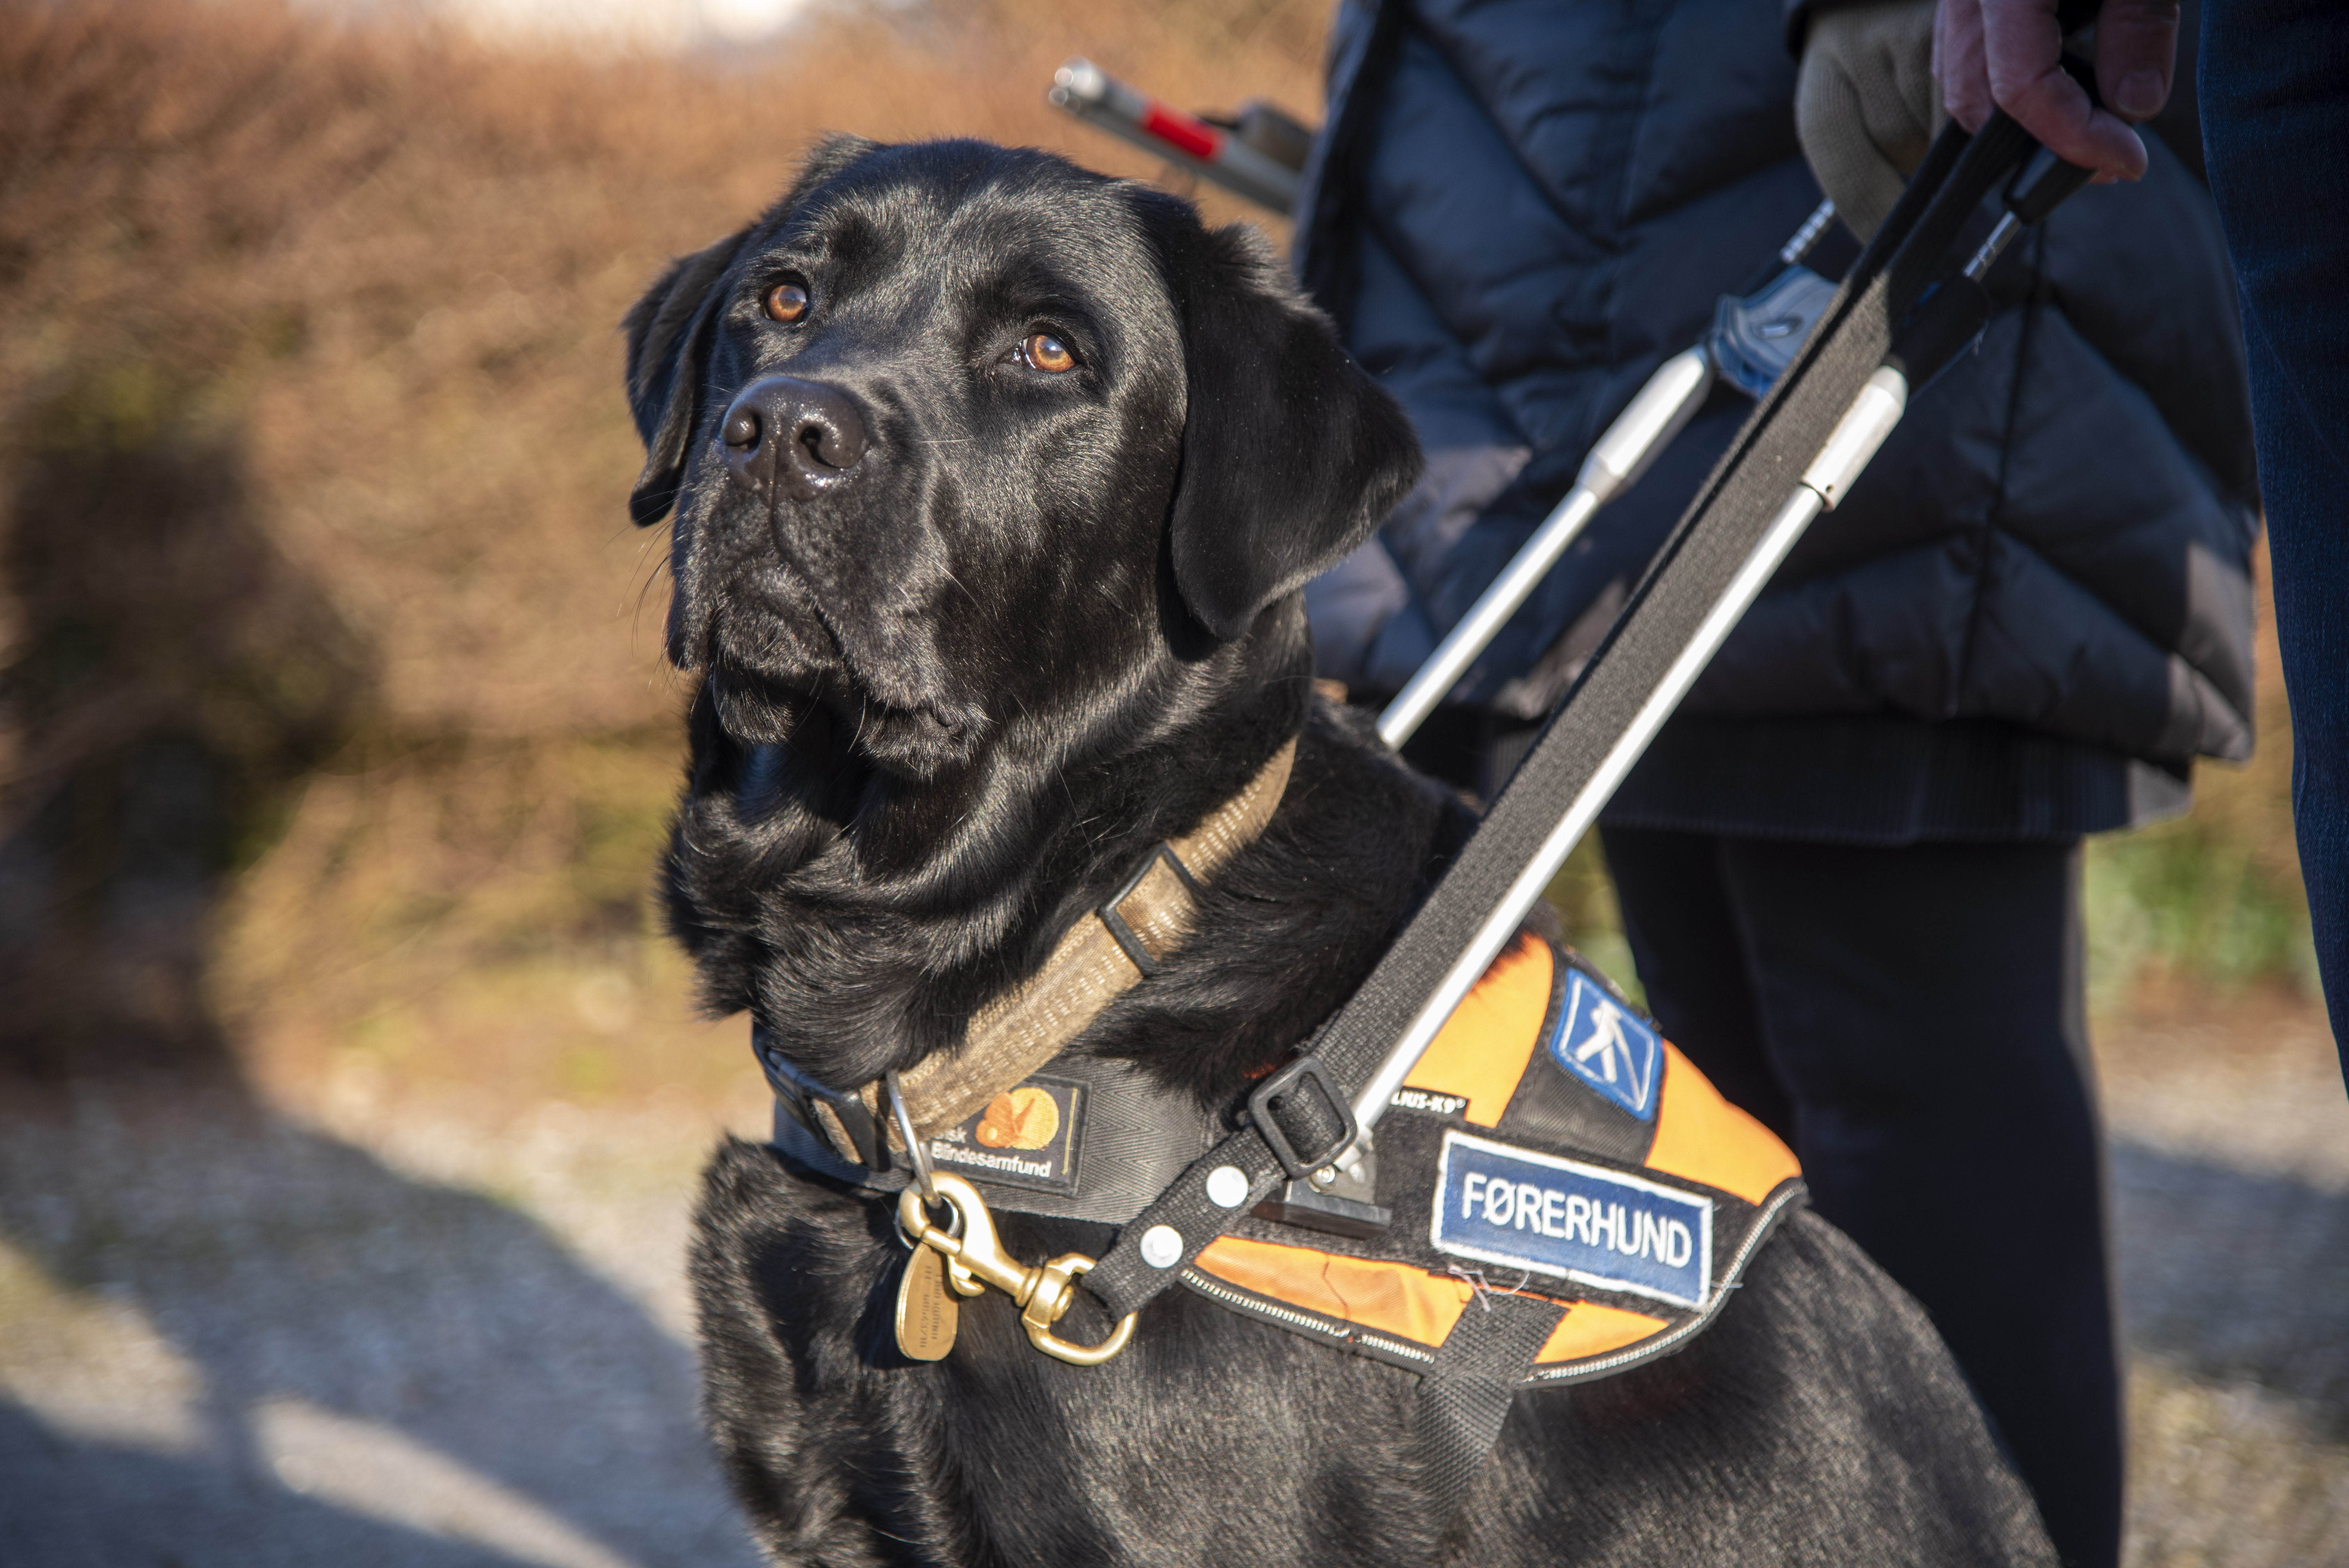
<point x="1577" y="1222"/>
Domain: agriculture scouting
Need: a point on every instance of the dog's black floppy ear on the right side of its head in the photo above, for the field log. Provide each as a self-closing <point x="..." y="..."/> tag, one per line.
<point x="1291" y="452"/>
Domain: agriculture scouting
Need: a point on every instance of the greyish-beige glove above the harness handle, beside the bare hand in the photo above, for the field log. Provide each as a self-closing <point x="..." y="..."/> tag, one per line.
<point x="1866" y="104"/>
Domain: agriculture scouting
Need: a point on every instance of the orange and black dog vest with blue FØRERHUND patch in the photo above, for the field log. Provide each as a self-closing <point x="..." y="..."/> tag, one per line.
<point x="1552" y="1144"/>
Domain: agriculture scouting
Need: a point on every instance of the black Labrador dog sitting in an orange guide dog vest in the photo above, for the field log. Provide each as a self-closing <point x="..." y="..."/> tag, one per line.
<point x="995" y="485"/>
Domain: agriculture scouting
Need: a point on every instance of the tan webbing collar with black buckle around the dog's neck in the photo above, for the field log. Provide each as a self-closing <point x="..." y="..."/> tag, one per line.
<point x="1101" y="959"/>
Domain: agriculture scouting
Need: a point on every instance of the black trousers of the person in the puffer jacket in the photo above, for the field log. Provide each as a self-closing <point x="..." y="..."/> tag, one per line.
<point x="1913" y="1025"/>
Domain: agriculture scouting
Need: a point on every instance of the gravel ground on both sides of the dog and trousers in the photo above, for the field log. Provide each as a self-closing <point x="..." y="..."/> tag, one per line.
<point x="328" y="1327"/>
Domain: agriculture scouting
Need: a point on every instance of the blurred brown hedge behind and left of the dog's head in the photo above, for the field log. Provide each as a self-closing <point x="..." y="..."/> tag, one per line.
<point x="330" y="691"/>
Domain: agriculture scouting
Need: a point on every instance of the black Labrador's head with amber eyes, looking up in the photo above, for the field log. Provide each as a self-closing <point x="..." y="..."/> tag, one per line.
<point x="960" y="438"/>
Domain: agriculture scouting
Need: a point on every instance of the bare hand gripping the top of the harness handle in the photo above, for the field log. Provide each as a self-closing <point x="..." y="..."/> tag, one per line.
<point x="2003" y="55"/>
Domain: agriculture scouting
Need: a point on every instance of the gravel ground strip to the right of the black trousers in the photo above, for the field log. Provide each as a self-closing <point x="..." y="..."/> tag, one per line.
<point x="2233" y="1198"/>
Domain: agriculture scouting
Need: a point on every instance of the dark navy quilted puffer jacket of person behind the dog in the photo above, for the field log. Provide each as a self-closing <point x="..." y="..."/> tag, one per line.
<point x="2035" y="609"/>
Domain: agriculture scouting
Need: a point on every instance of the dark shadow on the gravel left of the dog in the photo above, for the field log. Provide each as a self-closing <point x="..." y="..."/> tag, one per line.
<point x="236" y="1341"/>
